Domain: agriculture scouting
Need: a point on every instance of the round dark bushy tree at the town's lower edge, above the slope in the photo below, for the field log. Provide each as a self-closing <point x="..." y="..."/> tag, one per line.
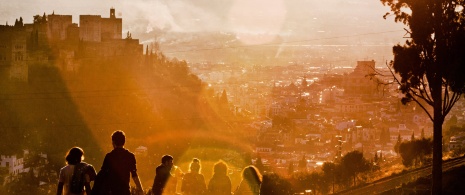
<point x="354" y="163"/>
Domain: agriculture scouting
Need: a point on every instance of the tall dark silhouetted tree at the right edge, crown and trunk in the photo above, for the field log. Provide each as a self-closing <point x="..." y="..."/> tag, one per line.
<point x="431" y="62"/>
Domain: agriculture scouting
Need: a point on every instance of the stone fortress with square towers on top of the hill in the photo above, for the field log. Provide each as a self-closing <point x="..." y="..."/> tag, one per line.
<point x="54" y="40"/>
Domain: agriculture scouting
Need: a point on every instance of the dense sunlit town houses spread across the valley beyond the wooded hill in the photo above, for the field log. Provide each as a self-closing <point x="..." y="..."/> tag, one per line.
<point x="321" y="117"/>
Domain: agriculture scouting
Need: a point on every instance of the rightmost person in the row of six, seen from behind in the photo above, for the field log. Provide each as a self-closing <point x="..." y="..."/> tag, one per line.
<point x="251" y="181"/>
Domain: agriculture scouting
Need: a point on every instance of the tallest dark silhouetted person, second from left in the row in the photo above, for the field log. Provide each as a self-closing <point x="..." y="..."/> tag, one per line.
<point x="119" y="165"/>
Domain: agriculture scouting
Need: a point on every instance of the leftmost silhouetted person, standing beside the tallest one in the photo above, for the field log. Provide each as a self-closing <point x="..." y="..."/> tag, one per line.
<point x="83" y="172"/>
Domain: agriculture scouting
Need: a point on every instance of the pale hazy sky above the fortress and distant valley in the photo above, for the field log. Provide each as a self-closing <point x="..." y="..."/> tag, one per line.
<point x="296" y="18"/>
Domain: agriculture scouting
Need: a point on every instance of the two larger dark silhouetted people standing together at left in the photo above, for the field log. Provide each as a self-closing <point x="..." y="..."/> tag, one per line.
<point x="118" y="167"/>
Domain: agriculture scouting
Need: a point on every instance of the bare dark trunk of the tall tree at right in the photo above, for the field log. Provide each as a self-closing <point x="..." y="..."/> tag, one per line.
<point x="437" y="140"/>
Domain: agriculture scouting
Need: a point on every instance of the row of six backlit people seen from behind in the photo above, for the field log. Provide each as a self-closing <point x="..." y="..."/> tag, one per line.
<point x="119" y="166"/>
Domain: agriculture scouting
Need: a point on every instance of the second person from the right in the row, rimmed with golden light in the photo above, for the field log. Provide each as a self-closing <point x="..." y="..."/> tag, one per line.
<point x="220" y="184"/>
